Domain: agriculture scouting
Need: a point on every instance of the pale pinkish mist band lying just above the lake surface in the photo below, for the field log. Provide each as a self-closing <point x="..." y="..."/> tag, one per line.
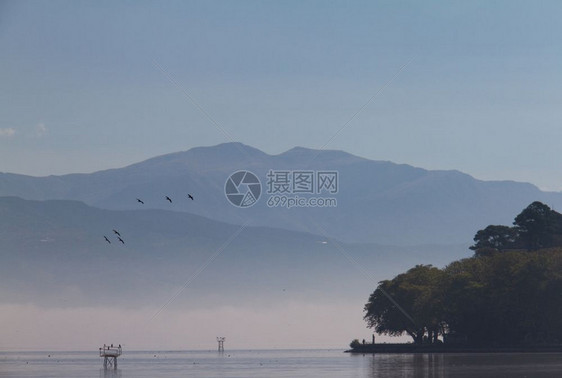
<point x="286" y="325"/>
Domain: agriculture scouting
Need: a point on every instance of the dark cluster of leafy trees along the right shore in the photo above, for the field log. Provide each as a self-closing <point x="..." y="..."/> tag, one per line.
<point x="509" y="293"/>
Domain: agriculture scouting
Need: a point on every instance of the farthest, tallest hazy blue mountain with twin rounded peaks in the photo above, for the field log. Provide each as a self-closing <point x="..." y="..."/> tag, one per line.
<point x="377" y="201"/>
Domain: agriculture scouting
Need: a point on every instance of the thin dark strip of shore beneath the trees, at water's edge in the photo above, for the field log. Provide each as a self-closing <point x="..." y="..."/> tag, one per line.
<point x="443" y="348"/>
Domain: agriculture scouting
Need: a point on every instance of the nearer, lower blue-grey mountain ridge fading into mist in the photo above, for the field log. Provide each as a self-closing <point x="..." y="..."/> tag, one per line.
<point x="54" y="253"/>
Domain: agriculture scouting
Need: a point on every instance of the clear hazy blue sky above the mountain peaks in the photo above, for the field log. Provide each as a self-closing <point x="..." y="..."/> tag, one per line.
<point x="474" y="86"/>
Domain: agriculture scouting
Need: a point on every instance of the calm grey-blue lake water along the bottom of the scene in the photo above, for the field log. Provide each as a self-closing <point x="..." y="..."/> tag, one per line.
<point x="279" y="363"/>
